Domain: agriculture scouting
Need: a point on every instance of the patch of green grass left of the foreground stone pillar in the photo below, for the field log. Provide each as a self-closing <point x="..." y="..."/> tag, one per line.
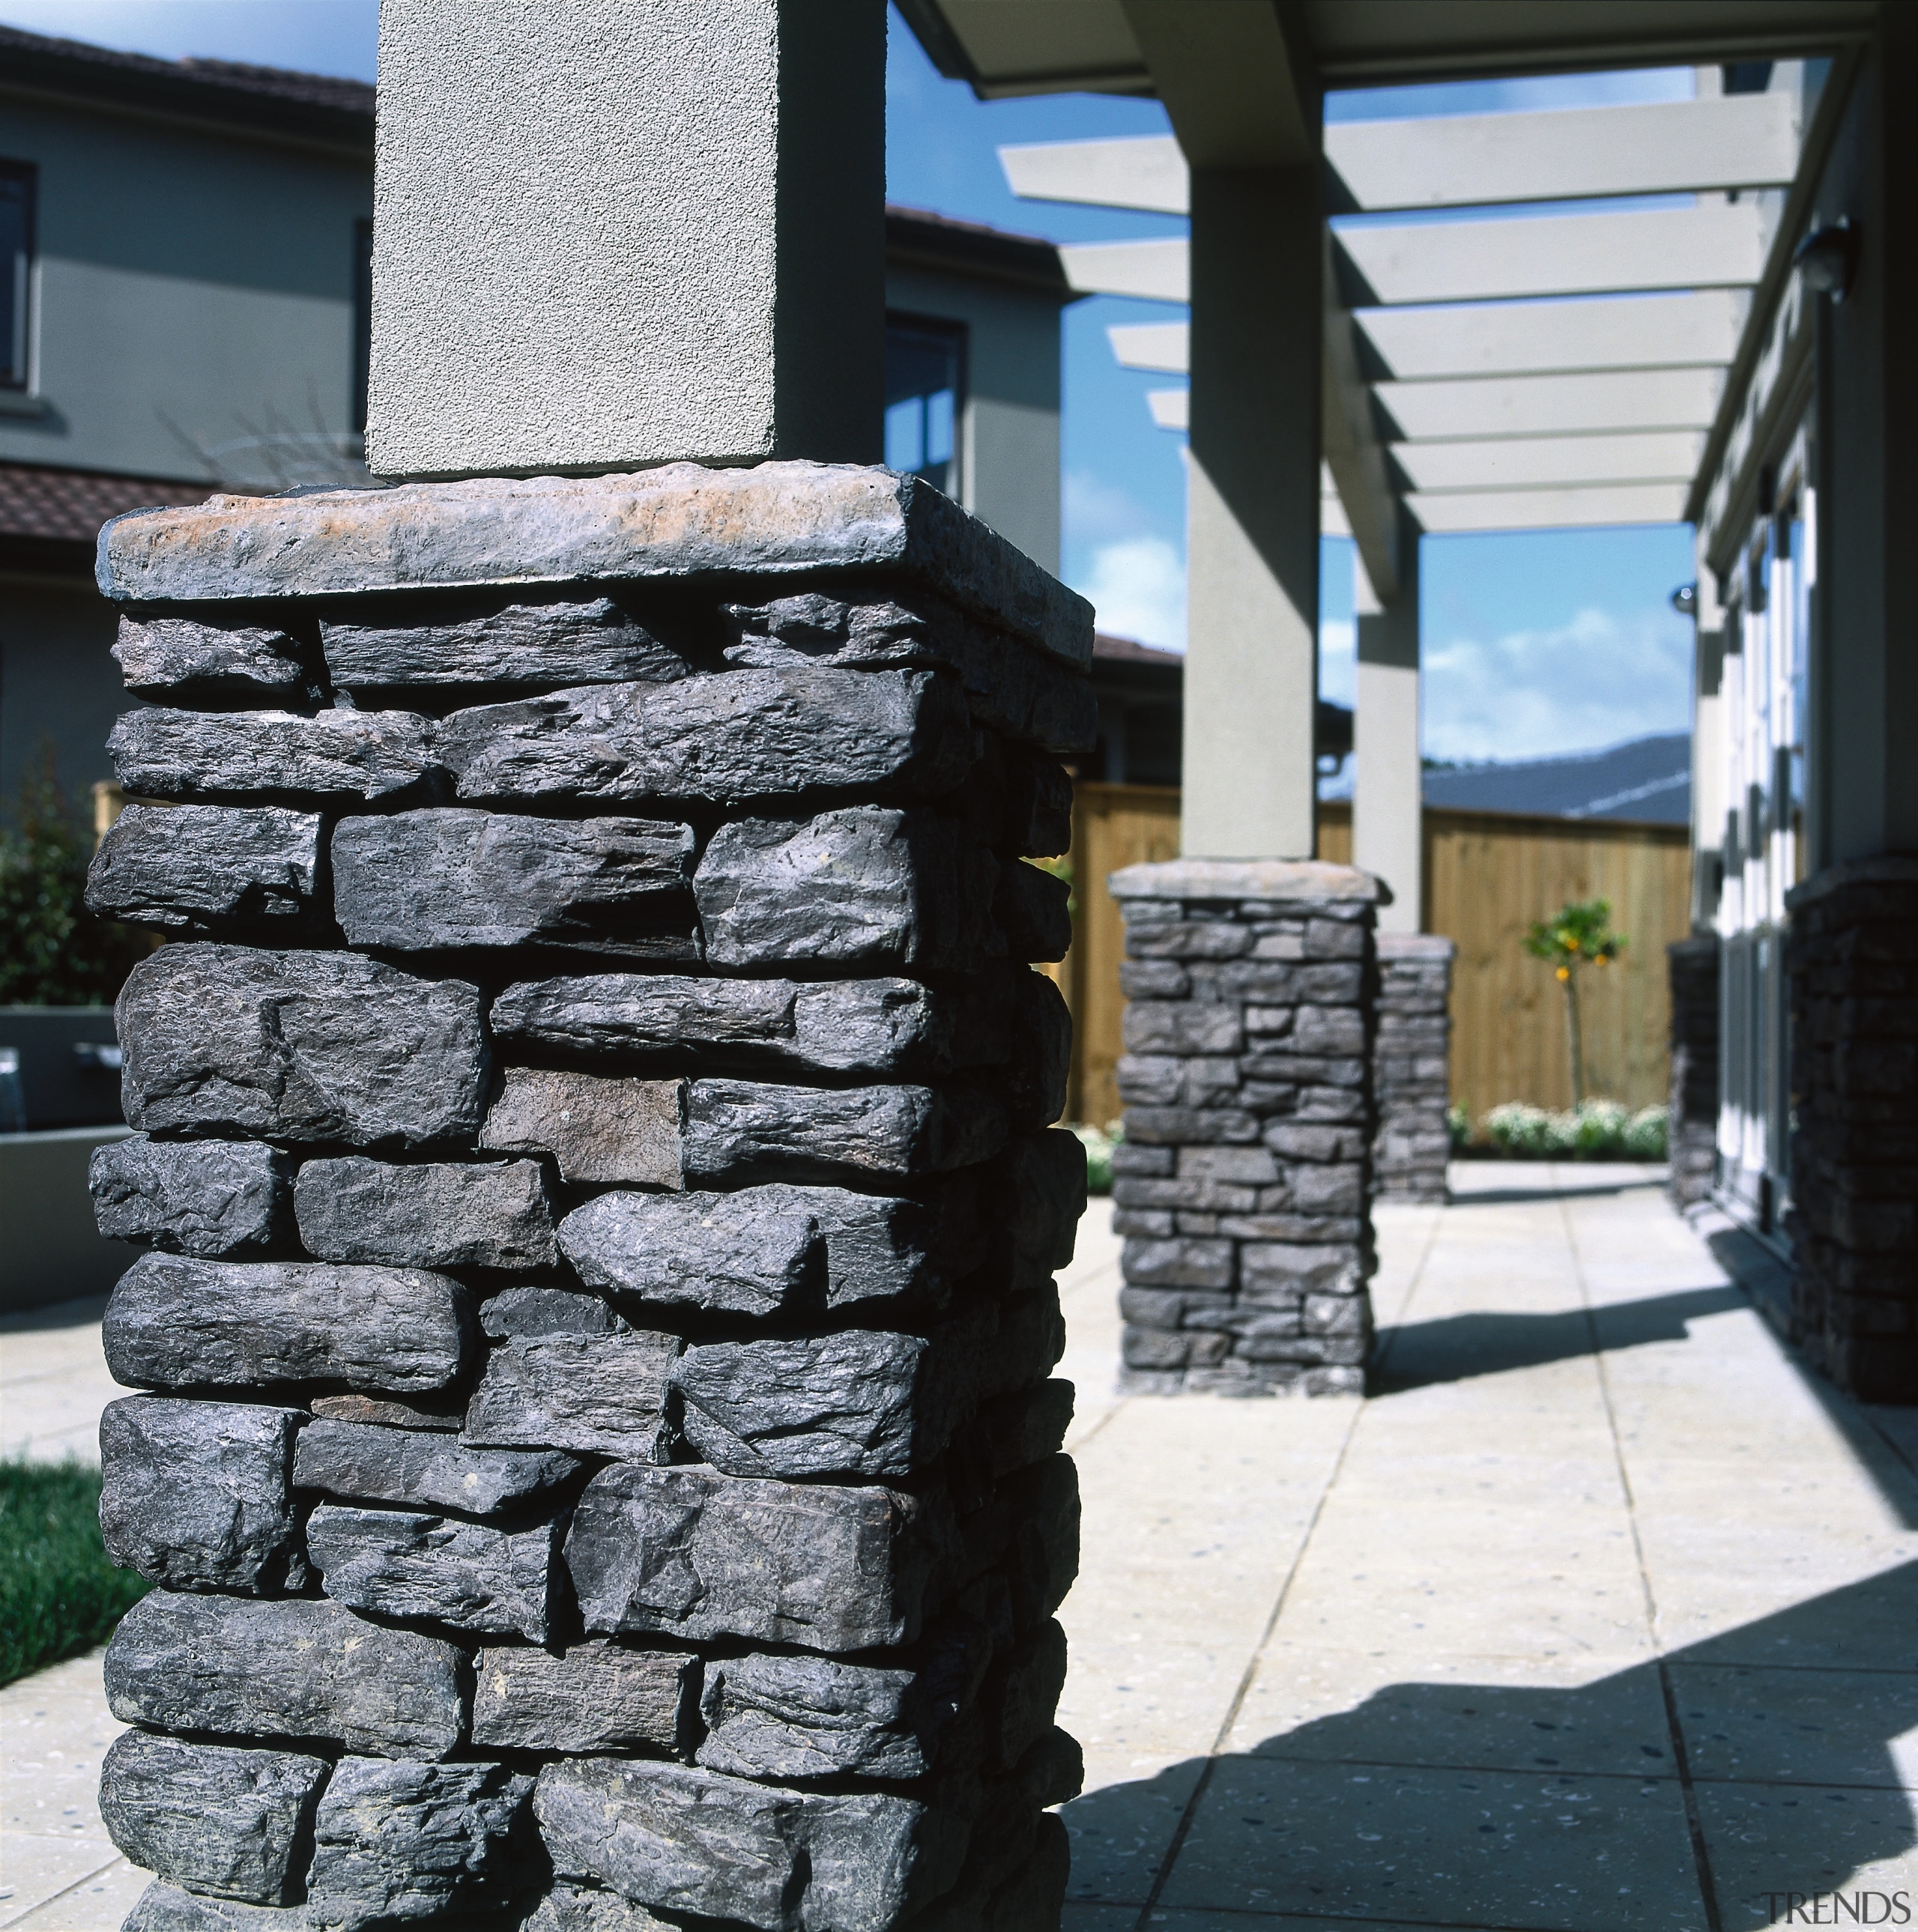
<point x="59" y="1595"/>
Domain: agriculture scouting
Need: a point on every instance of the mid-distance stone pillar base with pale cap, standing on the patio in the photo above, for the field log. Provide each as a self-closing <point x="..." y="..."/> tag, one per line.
<point x="1245" y="1176"/>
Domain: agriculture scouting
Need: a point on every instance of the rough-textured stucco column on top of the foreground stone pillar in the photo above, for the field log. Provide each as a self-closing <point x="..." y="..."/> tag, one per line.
<point x="611" y="235"/>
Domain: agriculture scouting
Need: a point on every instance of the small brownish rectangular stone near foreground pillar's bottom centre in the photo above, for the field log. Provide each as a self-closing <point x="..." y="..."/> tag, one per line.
<point x="592" y="1697"/>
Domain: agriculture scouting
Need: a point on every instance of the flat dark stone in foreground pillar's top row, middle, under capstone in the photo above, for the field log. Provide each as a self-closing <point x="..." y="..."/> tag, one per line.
<point x="546" y="644"/>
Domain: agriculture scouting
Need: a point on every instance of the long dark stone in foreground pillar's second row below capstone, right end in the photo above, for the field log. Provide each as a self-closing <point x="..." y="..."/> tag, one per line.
<point x="719" y="737"/>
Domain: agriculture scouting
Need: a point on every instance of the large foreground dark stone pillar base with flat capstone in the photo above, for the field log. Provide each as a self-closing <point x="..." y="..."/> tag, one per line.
<point x="600" y="1460"/>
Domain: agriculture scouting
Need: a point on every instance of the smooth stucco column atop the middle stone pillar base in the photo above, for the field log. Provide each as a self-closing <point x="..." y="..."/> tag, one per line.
<point x="1253" y="652"/>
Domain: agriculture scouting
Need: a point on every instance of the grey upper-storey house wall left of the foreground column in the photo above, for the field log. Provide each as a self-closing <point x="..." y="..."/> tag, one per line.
<point x="194" y="295"/>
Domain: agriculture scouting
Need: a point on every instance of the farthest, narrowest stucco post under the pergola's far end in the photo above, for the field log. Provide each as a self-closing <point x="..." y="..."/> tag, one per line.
<point x="1388" y="795"/>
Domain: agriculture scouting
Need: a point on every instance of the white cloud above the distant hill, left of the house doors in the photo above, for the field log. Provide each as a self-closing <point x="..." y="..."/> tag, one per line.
<point x="1593" y="683"/>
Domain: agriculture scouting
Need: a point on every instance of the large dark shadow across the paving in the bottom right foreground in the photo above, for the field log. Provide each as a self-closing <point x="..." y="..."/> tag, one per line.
<point x="1695" y="1792"/>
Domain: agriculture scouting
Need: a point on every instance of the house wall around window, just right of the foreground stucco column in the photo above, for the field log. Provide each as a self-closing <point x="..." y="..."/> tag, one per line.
<point x="1009" y="438"/>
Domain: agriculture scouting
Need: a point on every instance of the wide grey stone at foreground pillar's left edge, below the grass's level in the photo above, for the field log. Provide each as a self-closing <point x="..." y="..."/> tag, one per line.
<point x="296" y="1668"/>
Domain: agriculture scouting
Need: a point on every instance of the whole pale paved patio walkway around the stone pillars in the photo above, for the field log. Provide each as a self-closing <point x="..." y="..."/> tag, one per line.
<point x="1598" y="1618"/>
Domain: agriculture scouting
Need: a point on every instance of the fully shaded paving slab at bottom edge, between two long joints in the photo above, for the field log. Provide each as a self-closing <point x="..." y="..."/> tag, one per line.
<point x="1444" y="1848"/>
